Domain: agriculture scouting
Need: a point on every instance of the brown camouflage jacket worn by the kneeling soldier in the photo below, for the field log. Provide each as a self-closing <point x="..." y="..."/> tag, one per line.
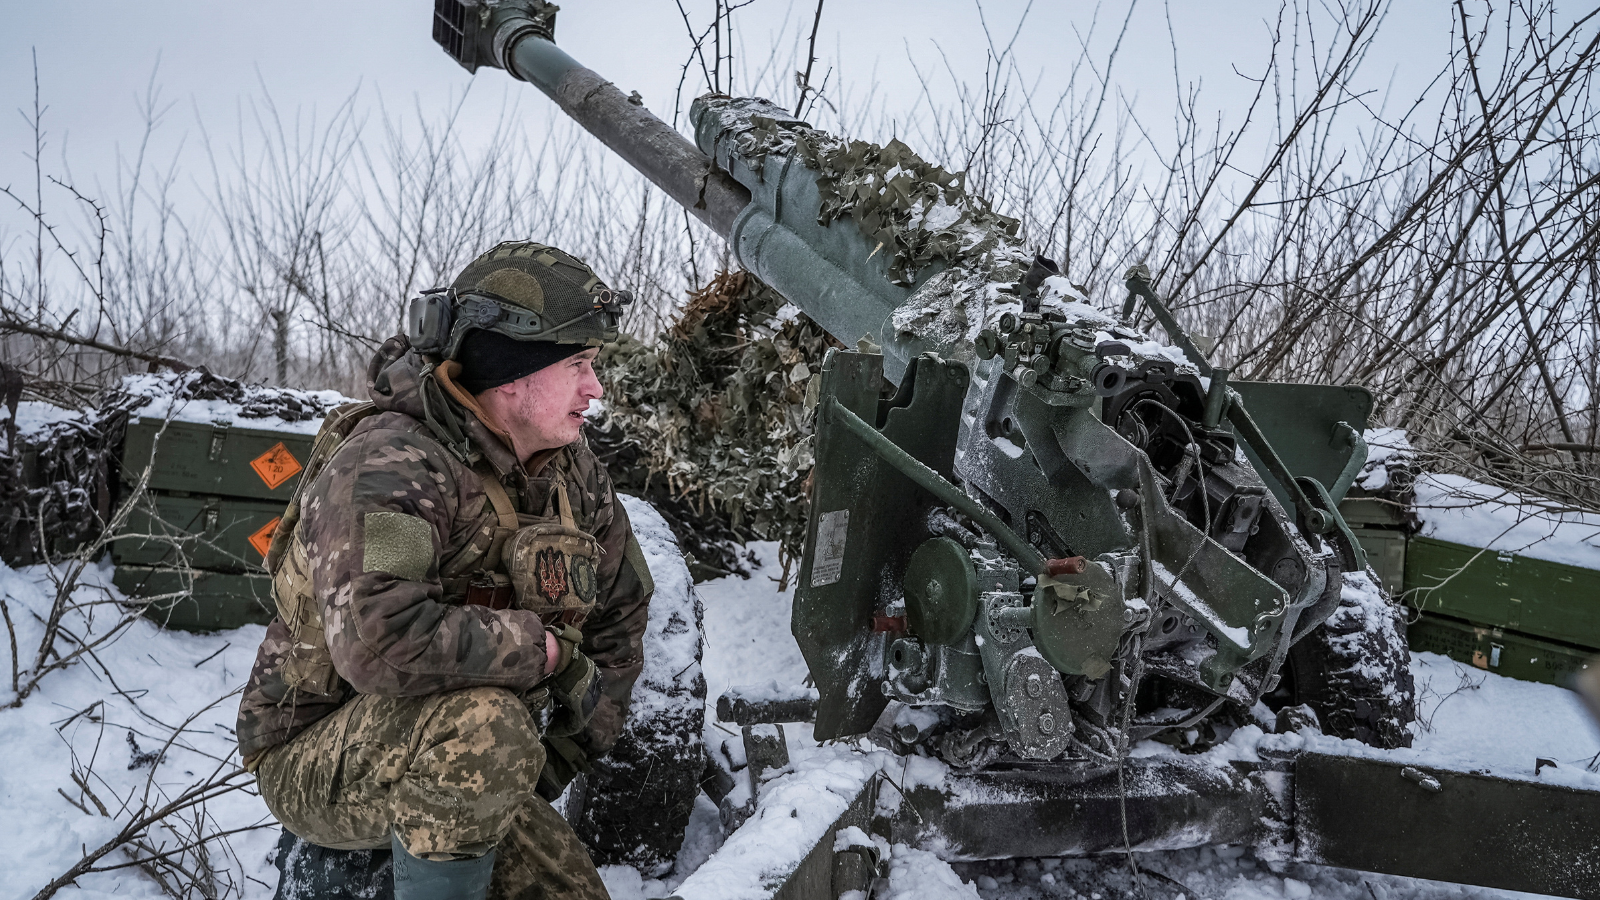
<point x="391" y="625"/>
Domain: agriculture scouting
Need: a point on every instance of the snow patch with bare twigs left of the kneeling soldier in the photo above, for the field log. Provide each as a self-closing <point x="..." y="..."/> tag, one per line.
<point x="150" y="720"/>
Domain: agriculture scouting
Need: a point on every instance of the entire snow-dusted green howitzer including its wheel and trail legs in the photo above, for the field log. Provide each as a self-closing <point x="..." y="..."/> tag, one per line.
<point x="1054" y="537"/>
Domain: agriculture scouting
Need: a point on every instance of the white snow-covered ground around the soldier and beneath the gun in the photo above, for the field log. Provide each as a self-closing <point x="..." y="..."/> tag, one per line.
<point x="153" y="715"/>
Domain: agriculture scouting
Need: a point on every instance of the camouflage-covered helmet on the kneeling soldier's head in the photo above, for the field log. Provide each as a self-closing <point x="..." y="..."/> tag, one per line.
<point x="524" y="291"/>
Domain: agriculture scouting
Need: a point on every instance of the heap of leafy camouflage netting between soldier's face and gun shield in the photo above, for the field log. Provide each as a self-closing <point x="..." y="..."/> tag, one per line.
<point x="713" y="424"/>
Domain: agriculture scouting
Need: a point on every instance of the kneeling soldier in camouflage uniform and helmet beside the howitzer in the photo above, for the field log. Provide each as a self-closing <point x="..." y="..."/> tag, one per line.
<point x="454" y="571"/>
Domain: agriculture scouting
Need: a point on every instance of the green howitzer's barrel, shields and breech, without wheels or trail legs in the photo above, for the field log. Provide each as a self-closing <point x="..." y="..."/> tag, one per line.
<point x="1047" y="500"/>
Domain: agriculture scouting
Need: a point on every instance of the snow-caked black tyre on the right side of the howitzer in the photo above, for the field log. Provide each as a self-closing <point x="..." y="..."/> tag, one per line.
<point x="1354" y="670"/>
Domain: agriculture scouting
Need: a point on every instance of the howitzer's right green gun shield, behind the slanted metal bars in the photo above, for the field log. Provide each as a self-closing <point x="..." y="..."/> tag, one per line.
<point x="1302" y="420"/>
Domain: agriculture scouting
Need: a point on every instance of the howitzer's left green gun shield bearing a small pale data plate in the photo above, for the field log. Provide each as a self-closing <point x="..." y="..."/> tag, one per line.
<point x="866" y="521"/>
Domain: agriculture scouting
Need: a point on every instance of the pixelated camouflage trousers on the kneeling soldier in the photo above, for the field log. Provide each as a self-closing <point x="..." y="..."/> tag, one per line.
<point x="450" y="774"/>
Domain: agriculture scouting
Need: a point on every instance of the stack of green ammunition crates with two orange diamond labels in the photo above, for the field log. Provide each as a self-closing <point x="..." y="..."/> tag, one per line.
<point x="215" y="494"/>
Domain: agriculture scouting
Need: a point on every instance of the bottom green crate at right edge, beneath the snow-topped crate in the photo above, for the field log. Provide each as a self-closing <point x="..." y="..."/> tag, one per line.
<point x="1498" y="651"/>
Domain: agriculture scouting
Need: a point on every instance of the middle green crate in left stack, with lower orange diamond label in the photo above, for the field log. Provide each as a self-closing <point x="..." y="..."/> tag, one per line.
<point x="225" y="534"/>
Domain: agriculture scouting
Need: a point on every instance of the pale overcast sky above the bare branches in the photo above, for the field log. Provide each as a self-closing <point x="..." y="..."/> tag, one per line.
<point x="206" y="57"/>
